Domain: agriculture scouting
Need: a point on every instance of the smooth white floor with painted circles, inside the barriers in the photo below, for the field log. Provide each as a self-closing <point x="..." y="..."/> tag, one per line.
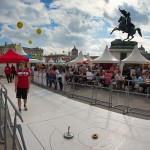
<point x="49" y="115"/>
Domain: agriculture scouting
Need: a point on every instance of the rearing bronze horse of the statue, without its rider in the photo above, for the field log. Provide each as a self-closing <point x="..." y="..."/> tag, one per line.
<point x="127" y="28"/>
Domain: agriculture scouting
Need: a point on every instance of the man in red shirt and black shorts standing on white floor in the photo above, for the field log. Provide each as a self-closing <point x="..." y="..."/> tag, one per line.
<point x="22" y="84"/>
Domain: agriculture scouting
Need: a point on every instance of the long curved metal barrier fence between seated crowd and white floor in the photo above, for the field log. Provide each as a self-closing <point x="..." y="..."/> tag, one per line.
<point x="126" y="97"/>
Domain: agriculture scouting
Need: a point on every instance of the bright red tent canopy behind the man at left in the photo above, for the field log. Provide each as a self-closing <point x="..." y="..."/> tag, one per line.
<point x="11" y="57"/>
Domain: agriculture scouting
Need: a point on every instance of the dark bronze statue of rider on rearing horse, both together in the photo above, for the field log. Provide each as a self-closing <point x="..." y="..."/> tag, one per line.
<point x="126" y="26"/>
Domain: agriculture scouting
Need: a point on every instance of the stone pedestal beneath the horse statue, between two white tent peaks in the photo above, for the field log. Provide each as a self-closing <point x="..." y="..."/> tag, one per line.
<point x="122" y="49"/>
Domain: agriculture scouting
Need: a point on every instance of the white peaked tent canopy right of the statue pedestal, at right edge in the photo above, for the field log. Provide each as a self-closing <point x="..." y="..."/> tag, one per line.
<point x="135" y="57"/>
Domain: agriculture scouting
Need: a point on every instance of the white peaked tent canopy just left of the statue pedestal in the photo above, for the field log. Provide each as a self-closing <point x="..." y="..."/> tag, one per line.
<point x="106" y="57"/>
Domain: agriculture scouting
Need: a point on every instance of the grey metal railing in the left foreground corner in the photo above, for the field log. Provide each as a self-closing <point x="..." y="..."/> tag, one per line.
<point x="6" y="123"/>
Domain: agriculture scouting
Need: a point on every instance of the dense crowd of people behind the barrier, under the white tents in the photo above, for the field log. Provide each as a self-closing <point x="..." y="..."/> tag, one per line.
<point x="137" y="78"/>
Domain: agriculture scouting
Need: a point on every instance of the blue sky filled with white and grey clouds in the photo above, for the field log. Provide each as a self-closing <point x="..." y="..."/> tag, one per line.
<point x="64" y="23"/>
